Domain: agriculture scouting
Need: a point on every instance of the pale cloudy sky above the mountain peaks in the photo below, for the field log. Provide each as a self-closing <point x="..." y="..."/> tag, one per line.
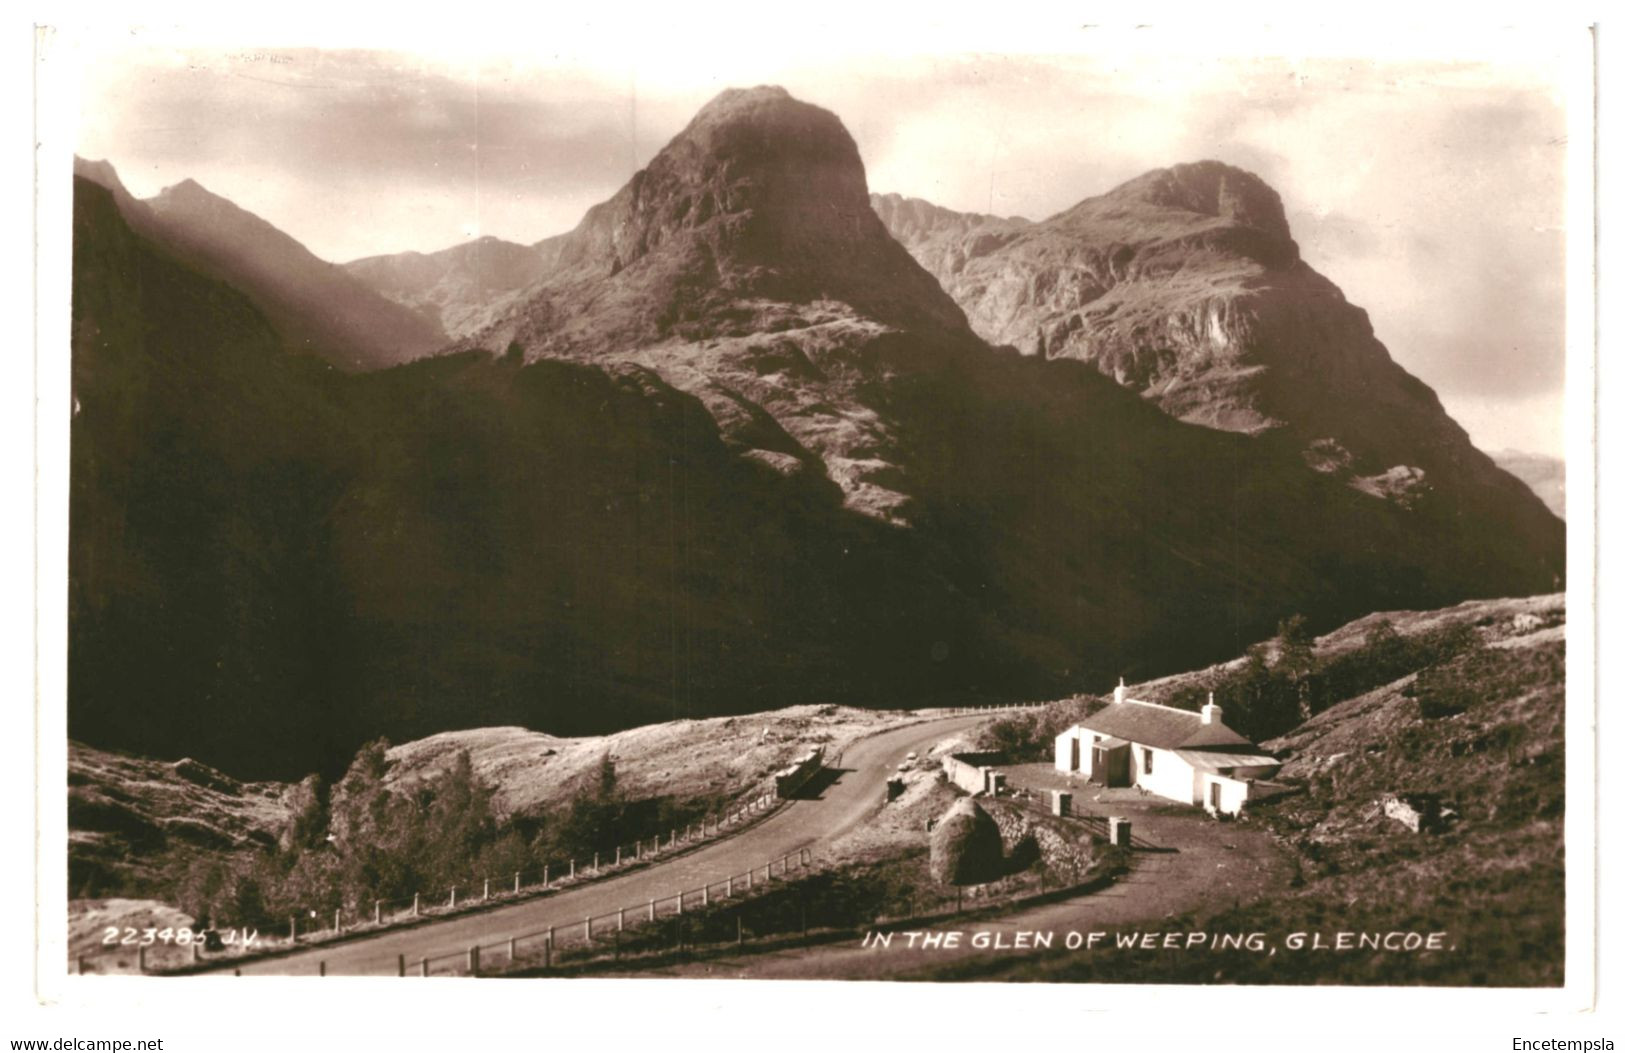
<point x="1429" y="186"/>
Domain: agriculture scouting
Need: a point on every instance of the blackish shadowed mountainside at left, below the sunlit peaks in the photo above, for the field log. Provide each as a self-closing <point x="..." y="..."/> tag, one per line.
<point x="272" y="563"/>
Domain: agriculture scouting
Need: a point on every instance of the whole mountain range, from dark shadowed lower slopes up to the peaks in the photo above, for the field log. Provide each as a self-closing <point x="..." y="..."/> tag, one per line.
<point x="729" y="446"/>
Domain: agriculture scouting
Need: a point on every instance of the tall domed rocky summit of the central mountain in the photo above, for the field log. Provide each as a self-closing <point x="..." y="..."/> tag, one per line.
<point x="760" y="199"/>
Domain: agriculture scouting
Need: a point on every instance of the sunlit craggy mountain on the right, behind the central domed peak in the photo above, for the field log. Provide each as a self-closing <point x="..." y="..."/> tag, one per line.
<point x="1187" y="288"/>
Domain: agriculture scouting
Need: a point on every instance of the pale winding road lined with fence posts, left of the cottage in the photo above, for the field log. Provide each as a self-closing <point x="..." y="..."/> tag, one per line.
<point x="799" y="825"/>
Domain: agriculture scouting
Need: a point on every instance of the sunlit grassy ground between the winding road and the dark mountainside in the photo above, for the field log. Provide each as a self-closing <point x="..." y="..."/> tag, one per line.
<point x="157" y="830"/>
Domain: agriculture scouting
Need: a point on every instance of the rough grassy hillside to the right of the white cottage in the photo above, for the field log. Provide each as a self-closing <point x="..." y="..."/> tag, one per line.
<point x="1471" y="752"/>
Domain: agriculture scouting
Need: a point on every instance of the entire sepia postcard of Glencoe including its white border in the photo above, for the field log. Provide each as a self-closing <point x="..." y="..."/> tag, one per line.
<point x="1080" y="516"/>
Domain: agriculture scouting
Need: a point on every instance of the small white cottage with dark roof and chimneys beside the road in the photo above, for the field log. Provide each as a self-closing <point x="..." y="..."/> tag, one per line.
<point x="1184" y="756"/>
